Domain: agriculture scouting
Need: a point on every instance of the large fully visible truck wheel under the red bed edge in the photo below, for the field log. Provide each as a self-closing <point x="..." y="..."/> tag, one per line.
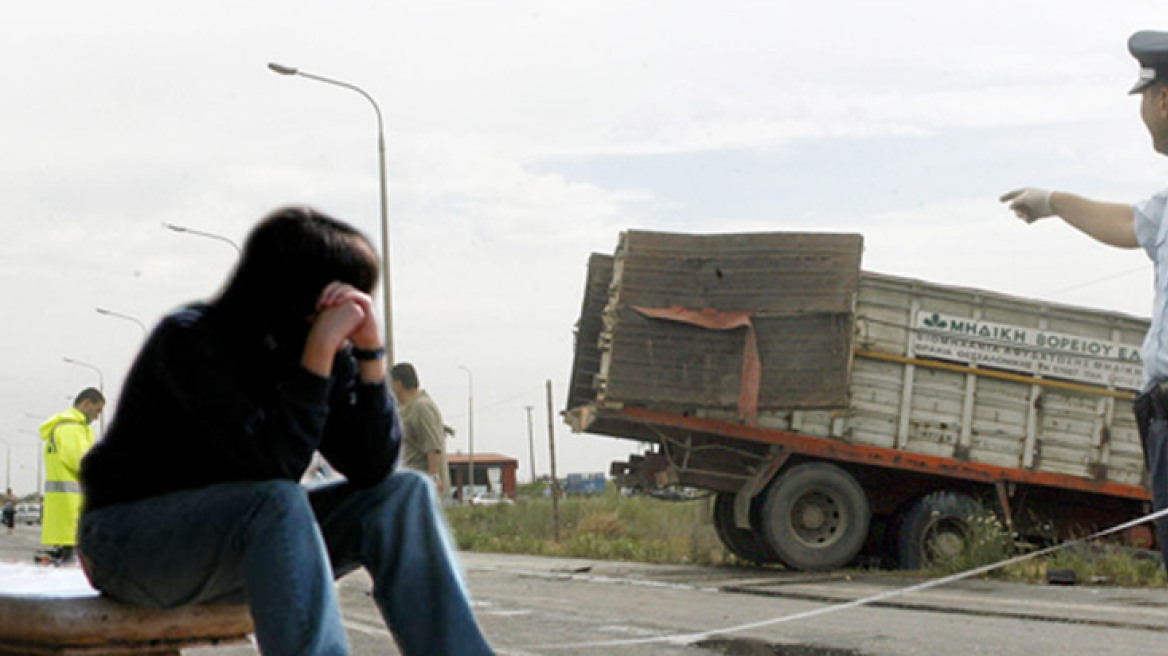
<point x="816" y="518"/>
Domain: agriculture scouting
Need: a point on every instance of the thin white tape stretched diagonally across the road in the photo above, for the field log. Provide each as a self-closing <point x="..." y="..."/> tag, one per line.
<point x="687" y="639"/>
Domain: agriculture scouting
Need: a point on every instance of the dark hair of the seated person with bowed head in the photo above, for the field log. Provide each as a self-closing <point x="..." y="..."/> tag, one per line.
<point x="288" y="261"/>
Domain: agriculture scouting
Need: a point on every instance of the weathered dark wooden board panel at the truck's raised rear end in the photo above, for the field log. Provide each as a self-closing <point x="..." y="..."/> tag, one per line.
<point x="799" y="288"/>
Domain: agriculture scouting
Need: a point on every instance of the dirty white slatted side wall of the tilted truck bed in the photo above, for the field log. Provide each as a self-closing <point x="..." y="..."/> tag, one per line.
<point x="1081" y="431"/>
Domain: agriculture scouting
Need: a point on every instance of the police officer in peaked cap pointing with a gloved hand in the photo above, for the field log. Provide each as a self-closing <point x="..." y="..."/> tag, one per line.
<point x="1129" y="227"/>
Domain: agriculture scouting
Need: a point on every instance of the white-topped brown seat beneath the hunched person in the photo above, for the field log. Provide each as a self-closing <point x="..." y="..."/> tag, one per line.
<point x="54" y="611"/>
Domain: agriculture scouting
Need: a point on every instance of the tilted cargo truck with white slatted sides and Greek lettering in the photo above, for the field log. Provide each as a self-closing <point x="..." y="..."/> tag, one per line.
<point x="832" y="409"/>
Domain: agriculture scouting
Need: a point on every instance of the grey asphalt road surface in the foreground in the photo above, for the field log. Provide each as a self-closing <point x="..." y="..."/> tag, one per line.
<point x="544" y="606"/>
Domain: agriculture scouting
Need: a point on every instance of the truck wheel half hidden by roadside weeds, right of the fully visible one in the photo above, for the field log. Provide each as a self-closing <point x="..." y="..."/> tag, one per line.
<point x="936" y="529"/>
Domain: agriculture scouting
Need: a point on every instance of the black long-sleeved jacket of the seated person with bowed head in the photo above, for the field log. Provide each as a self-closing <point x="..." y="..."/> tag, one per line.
<point x="207" y="403"/>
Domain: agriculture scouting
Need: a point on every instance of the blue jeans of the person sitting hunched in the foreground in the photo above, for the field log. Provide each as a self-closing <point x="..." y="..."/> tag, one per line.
<point x="277" y="546"/>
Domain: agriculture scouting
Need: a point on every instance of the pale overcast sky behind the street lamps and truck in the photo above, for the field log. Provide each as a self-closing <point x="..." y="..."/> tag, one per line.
<point x="523" y="137"/>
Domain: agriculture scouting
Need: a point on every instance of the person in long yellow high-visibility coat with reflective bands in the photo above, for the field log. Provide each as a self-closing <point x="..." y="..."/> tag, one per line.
<point x="67" y="436"/>
